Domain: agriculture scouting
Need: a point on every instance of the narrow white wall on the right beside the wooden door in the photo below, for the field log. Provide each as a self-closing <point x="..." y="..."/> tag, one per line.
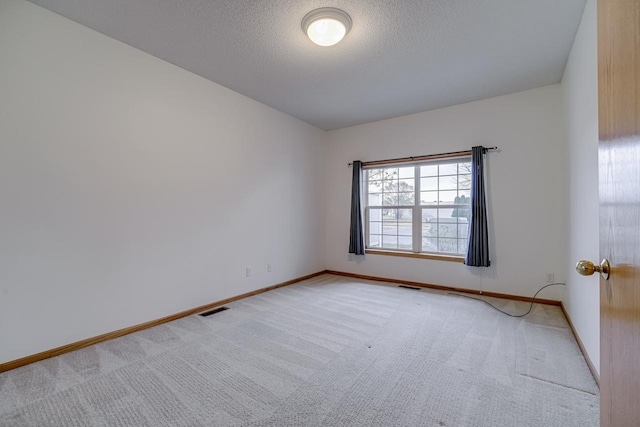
<point x="580" y="91"/>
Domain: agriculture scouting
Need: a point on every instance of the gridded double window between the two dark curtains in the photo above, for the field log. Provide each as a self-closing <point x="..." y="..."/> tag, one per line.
<point x="419" y="207"/>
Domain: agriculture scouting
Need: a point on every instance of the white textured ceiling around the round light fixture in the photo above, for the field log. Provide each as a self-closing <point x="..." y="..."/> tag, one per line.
<point x="400" y="57"/>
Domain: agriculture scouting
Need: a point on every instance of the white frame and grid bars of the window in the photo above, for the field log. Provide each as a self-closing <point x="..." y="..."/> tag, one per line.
<point x="417" y="207"/>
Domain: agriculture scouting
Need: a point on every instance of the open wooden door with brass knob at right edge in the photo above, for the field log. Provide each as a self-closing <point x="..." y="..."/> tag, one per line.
<point x="619" y="171"/>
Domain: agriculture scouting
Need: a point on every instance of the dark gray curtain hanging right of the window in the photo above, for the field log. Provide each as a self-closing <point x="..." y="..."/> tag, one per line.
<point x="478" y="249"/>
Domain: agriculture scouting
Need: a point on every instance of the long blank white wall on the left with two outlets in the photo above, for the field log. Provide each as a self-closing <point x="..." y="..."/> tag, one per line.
<point x="132" y="189"/>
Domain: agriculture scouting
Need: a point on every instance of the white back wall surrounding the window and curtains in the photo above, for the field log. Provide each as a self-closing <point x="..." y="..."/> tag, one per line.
<point x="525" y="189"/>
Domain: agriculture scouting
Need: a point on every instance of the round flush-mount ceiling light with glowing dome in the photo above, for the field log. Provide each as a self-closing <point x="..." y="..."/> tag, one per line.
<point x="326" y="26"/>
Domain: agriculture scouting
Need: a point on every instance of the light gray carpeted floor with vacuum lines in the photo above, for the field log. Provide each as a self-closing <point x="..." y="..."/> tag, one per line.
<point x="330" y="351"/>
